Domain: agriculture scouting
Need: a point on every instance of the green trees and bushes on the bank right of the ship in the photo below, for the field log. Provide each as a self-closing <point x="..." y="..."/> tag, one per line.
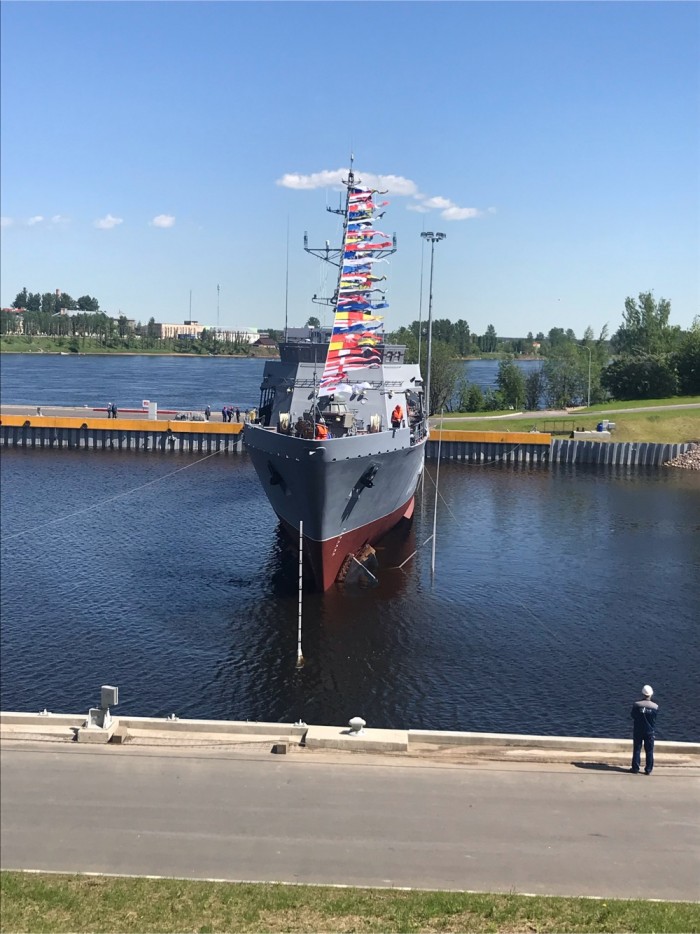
<point x="646" y="358"/>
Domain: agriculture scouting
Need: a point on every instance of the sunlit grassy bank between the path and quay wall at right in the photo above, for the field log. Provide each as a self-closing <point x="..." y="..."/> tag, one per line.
<point x="663" y="426"/>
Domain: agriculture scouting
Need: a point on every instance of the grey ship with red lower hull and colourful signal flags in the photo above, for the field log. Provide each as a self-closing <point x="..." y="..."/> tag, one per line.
<point x="338" y="440"/>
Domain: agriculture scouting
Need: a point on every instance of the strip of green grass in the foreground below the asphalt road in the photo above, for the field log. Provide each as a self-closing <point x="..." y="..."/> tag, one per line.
<point x="55" y="903"/>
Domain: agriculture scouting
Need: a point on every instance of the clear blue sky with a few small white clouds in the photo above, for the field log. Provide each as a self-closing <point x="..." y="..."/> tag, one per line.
<point x="153" y="150"/>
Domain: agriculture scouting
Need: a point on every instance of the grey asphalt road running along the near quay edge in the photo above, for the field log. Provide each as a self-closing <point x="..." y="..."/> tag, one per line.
<point x="543" y="829"/>
